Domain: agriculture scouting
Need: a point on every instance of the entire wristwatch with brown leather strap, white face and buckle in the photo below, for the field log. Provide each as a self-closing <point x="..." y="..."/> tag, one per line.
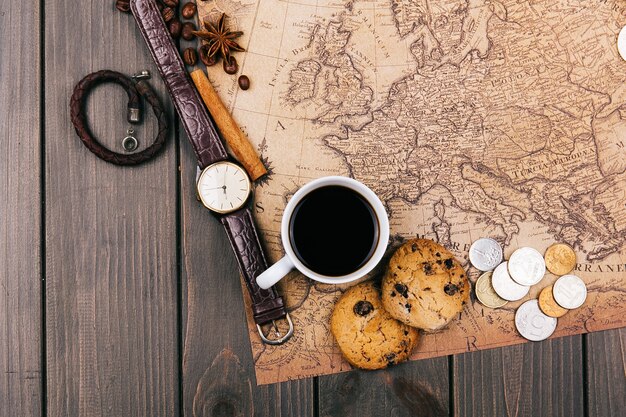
<point x="223" y="185"/>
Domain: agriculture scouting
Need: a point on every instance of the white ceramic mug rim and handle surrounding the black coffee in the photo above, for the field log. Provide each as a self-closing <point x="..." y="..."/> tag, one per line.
<point x="290" y="261"/>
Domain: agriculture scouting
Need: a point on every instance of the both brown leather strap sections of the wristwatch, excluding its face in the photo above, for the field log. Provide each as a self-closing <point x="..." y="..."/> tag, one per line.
<point x="266" y="304"/>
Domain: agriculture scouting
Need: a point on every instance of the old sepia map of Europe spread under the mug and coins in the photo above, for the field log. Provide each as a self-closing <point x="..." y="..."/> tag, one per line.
<point x="502" y="119"/>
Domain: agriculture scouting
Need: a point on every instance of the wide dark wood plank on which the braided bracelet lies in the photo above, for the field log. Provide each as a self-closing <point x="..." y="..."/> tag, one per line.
<point x="111" y="312"/>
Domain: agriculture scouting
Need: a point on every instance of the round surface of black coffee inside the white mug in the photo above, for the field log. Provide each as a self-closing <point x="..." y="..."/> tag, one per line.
<point x="333" y="231"/>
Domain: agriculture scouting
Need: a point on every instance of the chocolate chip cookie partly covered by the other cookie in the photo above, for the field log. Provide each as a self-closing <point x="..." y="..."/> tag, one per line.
<point x="368" y="336"/>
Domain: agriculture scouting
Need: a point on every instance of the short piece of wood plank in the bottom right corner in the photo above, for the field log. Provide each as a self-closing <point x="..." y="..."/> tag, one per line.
<point x="606" y="372"/>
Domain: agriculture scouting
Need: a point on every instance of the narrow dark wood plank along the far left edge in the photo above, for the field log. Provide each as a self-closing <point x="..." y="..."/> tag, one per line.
<point x="20" y="205"/>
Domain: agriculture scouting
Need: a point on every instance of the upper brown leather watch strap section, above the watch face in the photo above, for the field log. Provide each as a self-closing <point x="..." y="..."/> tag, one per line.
<point x="194" y="117"/>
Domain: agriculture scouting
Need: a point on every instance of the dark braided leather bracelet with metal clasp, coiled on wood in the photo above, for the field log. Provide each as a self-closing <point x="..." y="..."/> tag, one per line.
<point x="134" y="89"/>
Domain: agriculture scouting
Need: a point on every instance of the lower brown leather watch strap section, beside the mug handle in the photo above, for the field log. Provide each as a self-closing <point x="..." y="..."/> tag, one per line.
<point x="266" y="304"/>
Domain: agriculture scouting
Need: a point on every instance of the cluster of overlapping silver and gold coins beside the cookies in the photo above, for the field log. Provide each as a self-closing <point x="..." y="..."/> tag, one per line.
<point x="511" y="281"/>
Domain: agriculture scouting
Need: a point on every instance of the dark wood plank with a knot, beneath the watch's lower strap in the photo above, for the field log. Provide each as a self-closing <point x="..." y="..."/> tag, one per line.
<point x="218" y="371"/>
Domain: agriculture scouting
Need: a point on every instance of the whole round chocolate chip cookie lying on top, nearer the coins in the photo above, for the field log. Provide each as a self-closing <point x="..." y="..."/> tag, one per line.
<point x="424" y="286"/>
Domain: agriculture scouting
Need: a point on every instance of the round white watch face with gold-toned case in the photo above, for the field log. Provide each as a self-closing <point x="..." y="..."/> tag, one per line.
<point x="223" y="187"/>
